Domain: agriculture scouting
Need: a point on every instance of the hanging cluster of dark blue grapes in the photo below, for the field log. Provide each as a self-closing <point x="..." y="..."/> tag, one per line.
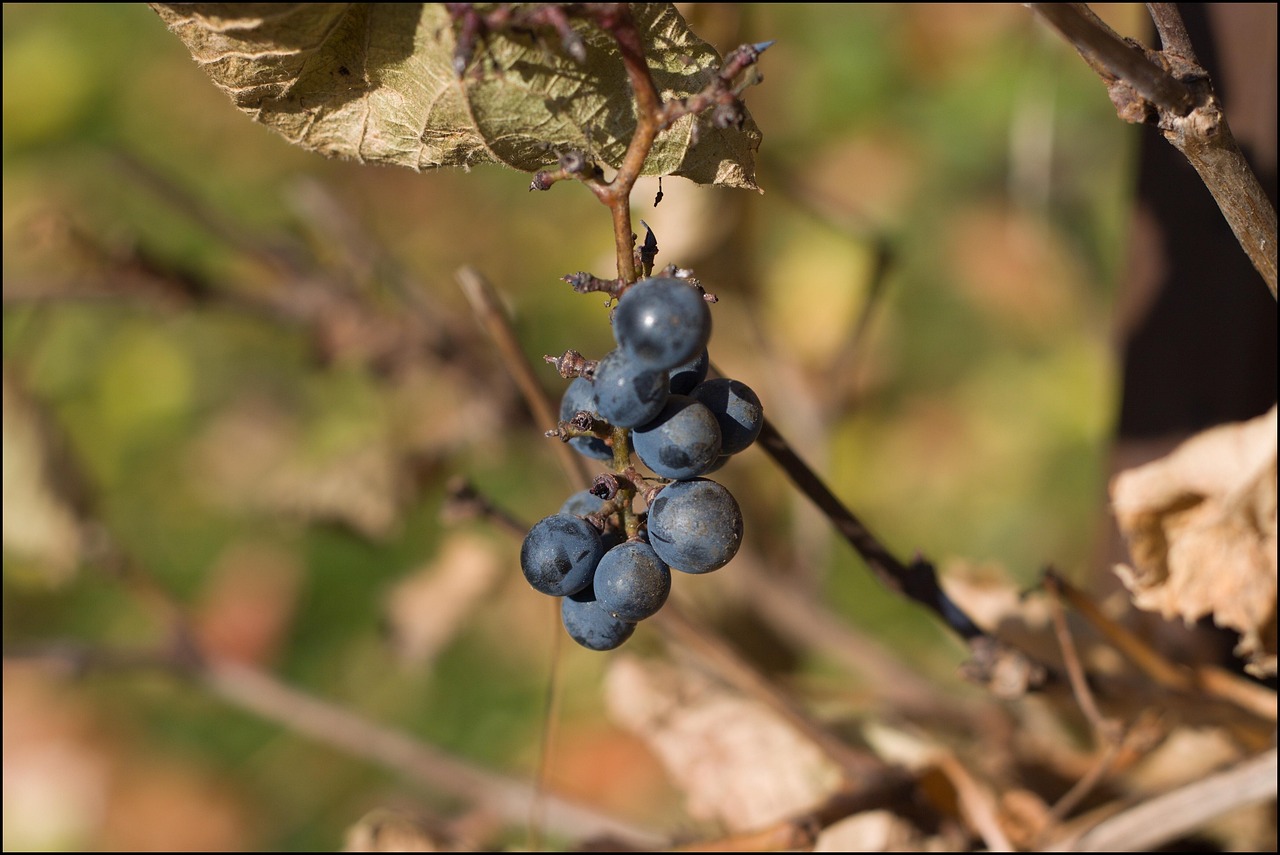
<point x="650" y="397"/>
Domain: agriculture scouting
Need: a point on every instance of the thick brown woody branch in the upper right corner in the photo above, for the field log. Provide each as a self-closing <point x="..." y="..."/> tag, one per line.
<point x="1172" y="92"/>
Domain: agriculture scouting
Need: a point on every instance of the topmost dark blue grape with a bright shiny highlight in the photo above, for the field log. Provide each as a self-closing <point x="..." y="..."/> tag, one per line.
<point x="662" y="323"/>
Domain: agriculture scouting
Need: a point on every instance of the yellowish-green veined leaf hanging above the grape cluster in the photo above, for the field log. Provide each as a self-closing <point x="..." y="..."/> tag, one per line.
<point x="376" y="84"/>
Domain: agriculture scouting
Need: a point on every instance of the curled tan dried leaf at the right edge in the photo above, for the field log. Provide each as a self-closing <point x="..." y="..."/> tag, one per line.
<point x="1201" y="527"/>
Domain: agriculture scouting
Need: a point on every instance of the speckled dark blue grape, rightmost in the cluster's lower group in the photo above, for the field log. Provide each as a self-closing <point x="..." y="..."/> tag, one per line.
<point x="696" y="527"/>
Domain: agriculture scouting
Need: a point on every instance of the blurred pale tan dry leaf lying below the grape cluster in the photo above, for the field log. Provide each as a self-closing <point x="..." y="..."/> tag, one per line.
<point x="735" y="760"/>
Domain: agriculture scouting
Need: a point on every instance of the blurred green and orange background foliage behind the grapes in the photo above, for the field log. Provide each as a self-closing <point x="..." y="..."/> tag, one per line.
<point x="291" y="496"/>
